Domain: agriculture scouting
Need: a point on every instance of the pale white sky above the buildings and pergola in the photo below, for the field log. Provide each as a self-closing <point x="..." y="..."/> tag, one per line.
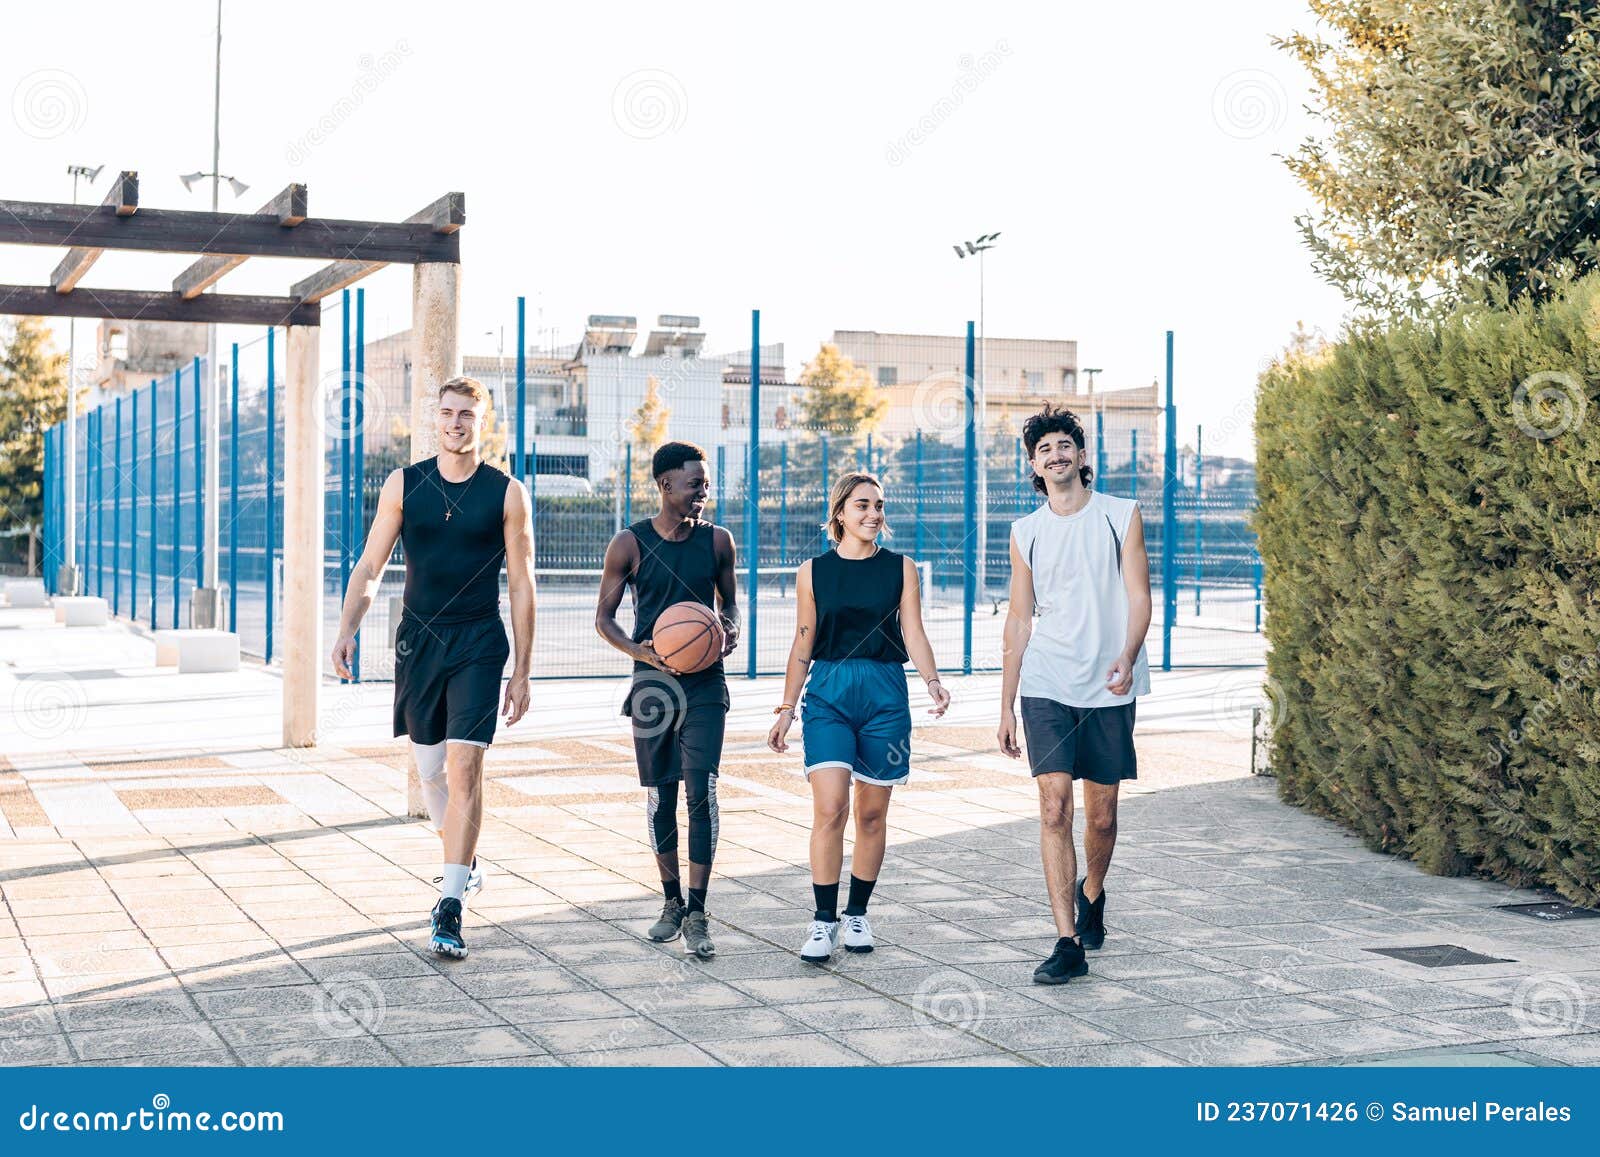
<point x="814" y="161"/>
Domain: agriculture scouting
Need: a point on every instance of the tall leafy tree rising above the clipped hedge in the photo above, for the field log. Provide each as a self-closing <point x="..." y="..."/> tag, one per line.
<point x="1460" y="148"/>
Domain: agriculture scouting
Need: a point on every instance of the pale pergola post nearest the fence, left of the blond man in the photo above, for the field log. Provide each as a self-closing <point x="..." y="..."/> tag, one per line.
<point x="303" y="537"/>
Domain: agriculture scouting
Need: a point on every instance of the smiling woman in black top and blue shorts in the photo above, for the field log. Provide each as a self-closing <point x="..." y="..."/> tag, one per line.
<point x="858" y="622"/>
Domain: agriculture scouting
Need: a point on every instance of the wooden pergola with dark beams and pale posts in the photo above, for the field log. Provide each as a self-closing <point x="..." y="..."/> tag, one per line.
<point x="222" y="242"/>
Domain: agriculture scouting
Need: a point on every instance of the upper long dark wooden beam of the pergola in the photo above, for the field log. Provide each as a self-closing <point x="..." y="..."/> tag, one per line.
<point x="180" y="231"/>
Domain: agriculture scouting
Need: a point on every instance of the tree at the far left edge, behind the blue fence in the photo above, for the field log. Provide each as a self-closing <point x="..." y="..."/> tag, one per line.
<point x="33" y="398"/>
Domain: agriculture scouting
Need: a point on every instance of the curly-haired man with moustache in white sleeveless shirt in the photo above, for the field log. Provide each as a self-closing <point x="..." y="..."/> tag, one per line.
<point x="1079" y="562"/>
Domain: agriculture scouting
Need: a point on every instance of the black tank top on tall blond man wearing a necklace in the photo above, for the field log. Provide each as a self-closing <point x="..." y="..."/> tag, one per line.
<point x="454" y="535"/>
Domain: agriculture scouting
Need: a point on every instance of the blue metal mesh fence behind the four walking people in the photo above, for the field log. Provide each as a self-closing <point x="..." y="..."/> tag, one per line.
<point x="142" y="510"/>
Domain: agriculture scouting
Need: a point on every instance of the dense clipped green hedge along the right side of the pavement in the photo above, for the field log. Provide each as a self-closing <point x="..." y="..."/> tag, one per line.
<point x="1428" y="519"/>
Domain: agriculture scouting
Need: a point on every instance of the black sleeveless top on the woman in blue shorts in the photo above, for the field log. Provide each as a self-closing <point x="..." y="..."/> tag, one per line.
<point x="858" y="607"/>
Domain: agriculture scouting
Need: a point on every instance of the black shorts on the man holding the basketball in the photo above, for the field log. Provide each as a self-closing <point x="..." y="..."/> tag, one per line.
<point x="678" y="724"/>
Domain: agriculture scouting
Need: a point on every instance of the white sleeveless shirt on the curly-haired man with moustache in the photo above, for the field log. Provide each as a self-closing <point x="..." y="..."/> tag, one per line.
<point x="1082" y="604"/>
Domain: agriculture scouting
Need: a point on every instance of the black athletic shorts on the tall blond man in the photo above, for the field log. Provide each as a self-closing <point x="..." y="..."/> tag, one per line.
<point x="449" y="679"/>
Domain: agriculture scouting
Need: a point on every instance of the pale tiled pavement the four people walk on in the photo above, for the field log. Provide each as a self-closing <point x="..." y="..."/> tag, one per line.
<point x="177" y="895"/>
